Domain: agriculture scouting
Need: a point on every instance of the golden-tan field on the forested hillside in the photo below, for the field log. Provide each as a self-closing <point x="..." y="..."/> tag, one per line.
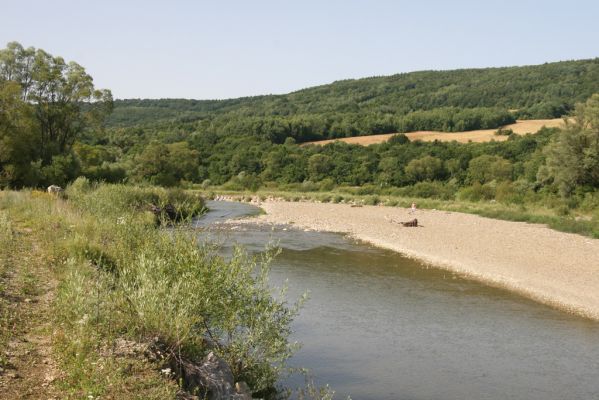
<point x="521" y="127"/>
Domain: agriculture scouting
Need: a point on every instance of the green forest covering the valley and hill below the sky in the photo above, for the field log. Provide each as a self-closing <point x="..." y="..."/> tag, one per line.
<point x="55" y="126"/>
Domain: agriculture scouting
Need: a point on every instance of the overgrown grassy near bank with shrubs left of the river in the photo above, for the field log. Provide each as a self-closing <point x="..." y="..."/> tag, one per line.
<point x="120" y="286"/>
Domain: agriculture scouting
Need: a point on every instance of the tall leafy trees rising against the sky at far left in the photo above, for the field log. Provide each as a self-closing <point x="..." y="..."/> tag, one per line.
<point x="46" y="104"/>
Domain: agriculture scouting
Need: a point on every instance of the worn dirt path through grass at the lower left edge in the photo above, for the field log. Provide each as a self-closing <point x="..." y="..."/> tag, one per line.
<point x="29" y="370"/>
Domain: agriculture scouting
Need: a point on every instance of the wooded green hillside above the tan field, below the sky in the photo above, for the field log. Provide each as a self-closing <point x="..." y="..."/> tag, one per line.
<point x="457" y="100"/>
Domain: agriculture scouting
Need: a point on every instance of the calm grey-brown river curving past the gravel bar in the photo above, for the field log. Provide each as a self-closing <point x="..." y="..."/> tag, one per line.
<point x="381" y="326"/>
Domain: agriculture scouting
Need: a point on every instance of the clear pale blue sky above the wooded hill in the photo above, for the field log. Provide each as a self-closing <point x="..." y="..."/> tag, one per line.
<point x="225" y="48"/>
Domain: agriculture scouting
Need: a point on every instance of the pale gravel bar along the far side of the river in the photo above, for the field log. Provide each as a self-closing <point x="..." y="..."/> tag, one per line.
<point x="555" y="268"/>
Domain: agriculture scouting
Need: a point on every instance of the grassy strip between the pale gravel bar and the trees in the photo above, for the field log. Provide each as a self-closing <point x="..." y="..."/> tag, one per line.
<point x="583" y="221"/>
